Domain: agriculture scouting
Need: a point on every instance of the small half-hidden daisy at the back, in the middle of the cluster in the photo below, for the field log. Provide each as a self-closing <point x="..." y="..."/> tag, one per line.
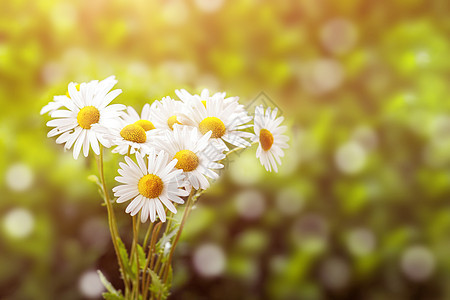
<point x="165" y="113"/>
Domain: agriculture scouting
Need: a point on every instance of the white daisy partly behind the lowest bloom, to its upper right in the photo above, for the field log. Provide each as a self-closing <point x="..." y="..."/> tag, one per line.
<point x="196" y="157"/>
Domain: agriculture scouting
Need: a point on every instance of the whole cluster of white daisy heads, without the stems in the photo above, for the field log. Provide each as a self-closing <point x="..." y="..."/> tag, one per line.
<point x="178" y="144"/>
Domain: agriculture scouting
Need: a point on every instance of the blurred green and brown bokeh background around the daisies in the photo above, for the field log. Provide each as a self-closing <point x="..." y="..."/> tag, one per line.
<point x="360" y="208"/>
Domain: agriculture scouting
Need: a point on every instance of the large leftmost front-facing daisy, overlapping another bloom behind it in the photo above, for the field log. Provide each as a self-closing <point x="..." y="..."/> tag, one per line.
<point x="86" y="107"/>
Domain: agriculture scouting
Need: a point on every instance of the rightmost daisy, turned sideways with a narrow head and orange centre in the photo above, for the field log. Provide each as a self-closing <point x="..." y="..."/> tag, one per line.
<point x="269" y="134"/>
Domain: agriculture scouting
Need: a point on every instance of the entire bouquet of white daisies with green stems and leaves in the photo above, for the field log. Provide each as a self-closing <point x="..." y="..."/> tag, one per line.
<point x="172" y="151"/>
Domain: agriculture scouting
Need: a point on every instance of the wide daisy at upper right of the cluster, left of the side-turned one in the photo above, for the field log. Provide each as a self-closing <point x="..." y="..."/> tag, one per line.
<point x="225" y="119"/>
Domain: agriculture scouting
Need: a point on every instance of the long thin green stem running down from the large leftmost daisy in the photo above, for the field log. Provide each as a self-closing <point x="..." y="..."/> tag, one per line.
<point x="111" y="220"/>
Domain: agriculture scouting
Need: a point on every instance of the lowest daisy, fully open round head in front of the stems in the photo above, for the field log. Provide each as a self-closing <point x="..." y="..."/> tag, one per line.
<point x="150" y="186"/>
